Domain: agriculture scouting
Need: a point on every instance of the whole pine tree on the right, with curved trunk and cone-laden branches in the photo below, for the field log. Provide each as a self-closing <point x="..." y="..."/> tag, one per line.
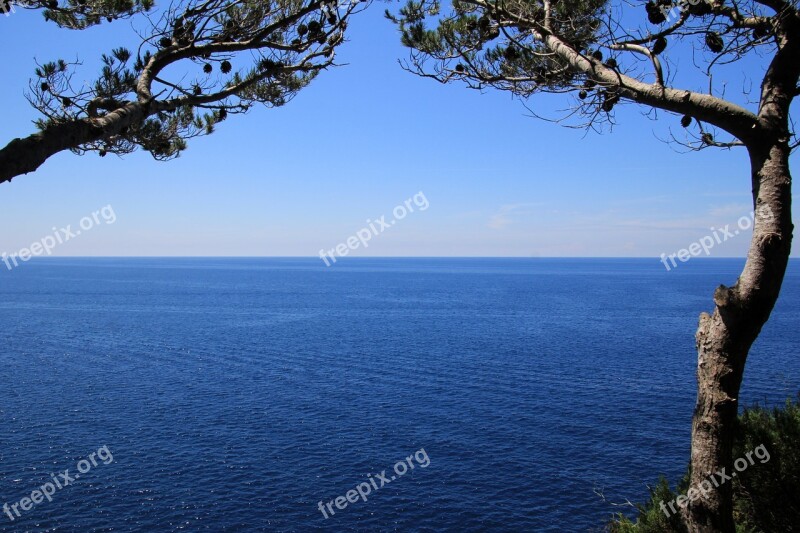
<point x="582" y="47"/>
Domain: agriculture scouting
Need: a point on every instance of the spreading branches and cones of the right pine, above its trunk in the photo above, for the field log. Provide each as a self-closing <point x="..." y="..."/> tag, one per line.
<point x="603" y="52"/>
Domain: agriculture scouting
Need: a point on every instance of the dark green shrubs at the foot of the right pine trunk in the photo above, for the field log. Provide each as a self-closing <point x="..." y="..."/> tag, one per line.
<point x="766" y="495"/>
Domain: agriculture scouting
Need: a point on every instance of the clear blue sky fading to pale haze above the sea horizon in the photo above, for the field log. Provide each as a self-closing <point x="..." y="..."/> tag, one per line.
<point x="363" y="139"/>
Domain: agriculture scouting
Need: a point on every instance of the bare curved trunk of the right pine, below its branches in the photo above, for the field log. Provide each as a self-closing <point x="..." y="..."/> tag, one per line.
<point x="725" y="337"/>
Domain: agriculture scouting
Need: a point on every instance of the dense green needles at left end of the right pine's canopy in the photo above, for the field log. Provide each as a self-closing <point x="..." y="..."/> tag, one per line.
<point x="488" y="46"/>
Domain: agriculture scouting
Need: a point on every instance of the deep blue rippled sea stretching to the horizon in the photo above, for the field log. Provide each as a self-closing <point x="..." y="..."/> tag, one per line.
<point x="235" y="395"/>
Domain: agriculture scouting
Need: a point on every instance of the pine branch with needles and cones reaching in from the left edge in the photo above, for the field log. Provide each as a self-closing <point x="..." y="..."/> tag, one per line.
<point x="198" y="62"/>
